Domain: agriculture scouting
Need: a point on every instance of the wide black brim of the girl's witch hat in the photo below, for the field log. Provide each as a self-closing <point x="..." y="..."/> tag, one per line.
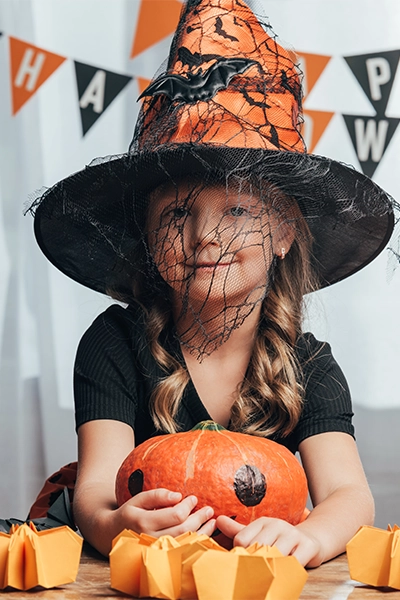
<point x="88" y="223"/>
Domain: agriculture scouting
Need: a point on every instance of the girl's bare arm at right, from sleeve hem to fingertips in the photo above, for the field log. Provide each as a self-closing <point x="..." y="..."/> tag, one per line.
<point x="340" y="495"/>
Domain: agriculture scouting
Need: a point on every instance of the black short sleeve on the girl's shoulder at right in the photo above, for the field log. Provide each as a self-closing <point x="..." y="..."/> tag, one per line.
<point x="327" y="400"/>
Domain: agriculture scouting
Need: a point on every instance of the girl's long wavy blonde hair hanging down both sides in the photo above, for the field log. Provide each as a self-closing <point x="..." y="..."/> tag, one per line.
<point x="269" y="399"/>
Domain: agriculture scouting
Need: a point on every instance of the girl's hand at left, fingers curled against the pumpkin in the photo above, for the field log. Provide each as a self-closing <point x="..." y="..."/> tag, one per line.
<point x="162" y="512"/>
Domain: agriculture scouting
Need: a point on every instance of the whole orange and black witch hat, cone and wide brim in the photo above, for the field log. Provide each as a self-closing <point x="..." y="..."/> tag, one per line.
<point x="225" y="106"/>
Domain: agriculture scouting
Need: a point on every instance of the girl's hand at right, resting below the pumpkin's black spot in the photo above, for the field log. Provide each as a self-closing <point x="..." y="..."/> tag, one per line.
<point x="290" y="540"/>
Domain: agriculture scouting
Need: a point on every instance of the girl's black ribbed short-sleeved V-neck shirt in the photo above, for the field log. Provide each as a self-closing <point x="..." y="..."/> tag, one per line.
<point x="115" y="374"/>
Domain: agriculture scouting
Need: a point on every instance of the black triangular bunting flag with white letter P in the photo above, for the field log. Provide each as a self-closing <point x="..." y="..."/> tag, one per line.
<point x="375" y="73"/>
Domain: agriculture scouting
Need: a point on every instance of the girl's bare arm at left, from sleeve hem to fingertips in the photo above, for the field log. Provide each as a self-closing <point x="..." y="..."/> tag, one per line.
<point x="102" y="446"/>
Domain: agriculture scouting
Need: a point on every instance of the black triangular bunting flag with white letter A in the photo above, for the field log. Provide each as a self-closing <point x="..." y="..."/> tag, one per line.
<point x="97" y="88"/>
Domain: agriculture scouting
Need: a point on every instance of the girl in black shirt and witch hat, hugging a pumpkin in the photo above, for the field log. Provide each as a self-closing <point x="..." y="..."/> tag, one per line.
<point x="211" y="229"/>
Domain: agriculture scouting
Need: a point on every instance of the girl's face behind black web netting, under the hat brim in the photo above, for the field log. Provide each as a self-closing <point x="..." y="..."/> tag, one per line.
<point x="212" y="243"/>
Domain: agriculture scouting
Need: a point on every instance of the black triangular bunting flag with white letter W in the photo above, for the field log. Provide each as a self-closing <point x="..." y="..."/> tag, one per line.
<point x="371" y="137"/>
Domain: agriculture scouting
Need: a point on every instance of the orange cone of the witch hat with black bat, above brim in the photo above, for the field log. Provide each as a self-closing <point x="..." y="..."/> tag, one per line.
<point x="233" y="85"/>
